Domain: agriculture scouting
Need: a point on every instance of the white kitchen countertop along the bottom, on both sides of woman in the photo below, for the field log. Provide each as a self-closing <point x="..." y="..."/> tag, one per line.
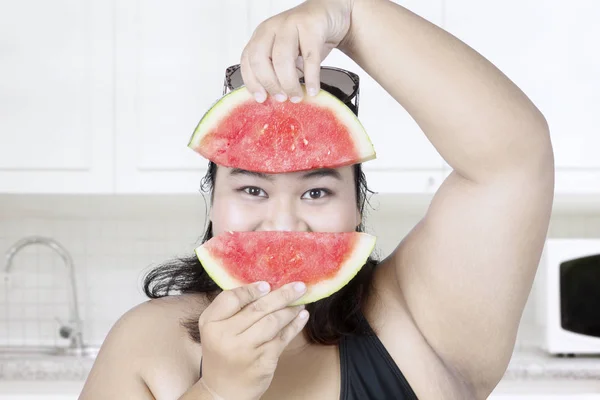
<point x="62" y="377"/>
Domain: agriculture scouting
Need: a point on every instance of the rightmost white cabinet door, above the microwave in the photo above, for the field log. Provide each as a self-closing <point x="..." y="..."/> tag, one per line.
<point x="551" y="53"/>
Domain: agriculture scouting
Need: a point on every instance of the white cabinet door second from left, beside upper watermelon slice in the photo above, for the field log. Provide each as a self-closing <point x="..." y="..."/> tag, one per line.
<point x="170" y="63"/>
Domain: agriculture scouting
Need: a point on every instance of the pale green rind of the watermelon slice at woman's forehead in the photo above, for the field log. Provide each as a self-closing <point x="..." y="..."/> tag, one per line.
<point x="221" y="107"/>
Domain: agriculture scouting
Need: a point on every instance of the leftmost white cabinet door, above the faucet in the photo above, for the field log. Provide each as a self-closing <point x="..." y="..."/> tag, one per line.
<point x="56" y="91"/>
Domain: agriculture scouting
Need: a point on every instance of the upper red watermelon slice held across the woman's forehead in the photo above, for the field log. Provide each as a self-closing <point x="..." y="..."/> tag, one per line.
<point x="274" y="137"/>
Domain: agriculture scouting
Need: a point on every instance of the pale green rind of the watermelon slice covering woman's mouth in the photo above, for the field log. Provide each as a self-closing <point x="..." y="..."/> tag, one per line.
<point x="362" y="249"/>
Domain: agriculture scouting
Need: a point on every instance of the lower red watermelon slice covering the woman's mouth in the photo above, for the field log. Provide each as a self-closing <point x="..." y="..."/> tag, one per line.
<point x="324" y="261"/>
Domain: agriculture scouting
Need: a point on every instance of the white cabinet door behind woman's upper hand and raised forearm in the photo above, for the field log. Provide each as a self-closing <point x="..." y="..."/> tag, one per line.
<point x="406" y="160"/>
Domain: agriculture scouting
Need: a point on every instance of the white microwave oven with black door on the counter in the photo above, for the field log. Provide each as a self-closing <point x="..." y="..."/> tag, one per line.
<point x="569" y="280"/>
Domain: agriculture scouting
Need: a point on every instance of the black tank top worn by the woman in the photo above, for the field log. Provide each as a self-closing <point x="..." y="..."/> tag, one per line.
<point x="368" y="372"/>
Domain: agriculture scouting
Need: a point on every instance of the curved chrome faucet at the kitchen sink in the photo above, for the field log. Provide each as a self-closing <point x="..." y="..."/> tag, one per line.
<point x="73" y="330"/>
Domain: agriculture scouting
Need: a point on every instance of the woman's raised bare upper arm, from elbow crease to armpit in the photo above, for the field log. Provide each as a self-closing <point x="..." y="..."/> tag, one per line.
<point x="466" y="270"/>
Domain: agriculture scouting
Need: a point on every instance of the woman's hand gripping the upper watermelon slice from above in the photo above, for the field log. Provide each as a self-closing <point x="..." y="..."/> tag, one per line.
<point x="292" y="43"/>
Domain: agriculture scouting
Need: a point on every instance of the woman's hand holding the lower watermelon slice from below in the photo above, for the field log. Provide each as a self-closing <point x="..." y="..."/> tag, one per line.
<point x="243" y="333"/>
